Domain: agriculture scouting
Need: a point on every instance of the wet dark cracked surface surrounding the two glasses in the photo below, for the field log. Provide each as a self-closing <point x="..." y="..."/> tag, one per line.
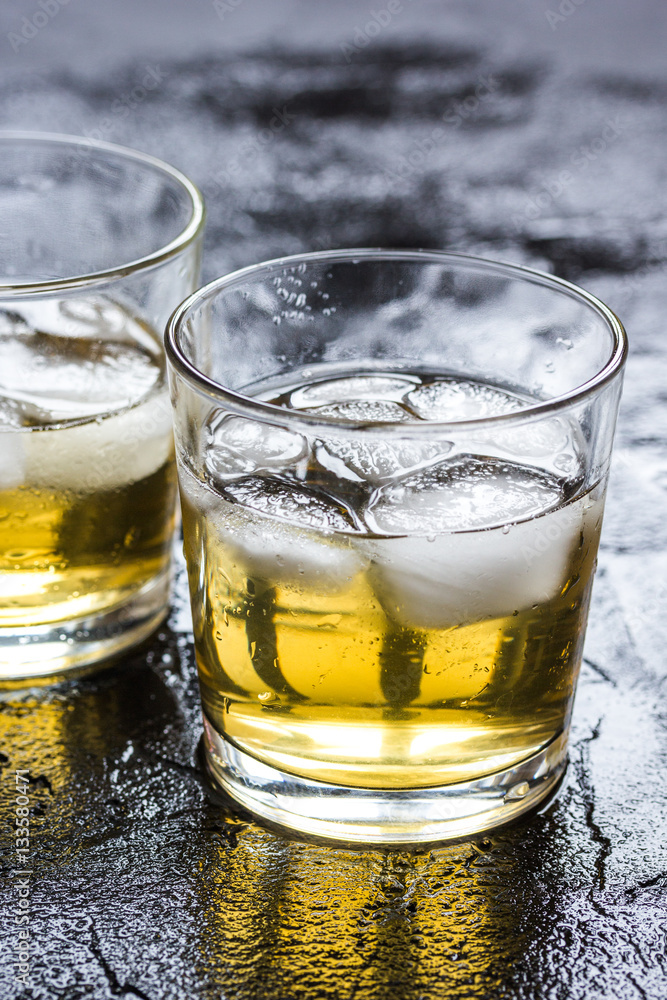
<point x="145" y="884"/>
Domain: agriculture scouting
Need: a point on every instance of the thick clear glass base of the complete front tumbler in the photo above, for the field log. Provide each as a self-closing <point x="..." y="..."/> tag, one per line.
<point x="384" y="816"/>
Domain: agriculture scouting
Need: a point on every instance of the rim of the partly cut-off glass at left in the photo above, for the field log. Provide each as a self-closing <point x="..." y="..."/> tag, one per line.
<point x="169" y="250"/>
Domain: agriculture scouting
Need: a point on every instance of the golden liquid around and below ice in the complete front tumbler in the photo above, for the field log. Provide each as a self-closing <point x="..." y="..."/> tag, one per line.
<point x="324" y="679"/>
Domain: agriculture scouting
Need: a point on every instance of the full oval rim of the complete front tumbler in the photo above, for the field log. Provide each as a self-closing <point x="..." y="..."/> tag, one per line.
<point x="239" y="403"/>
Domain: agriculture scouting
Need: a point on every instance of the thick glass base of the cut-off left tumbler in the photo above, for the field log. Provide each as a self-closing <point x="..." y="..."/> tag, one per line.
<point x="50" y="653"/>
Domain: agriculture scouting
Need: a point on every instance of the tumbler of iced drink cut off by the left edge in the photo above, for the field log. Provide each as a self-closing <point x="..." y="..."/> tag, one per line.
<point x="98" y="244"/>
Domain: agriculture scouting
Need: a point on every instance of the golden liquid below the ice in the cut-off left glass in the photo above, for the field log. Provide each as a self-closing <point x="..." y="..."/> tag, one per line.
<point x="66" y="554"/>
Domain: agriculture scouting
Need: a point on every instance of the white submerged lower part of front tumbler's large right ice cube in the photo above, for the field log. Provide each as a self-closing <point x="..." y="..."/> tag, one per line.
<point x="451" y="579"/>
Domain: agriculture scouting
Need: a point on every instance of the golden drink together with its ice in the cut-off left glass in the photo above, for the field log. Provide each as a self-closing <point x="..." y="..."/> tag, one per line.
<point x="87" y="499"/>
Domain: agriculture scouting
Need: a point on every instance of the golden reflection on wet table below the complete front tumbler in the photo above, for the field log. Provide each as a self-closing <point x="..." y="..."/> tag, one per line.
<point x="289" y="918"/>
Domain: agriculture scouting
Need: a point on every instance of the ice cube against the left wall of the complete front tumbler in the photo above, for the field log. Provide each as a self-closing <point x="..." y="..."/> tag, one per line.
<point x="237" y="445"/>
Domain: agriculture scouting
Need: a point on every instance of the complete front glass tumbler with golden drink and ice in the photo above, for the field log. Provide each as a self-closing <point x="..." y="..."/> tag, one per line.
<point x="392" y="468"/>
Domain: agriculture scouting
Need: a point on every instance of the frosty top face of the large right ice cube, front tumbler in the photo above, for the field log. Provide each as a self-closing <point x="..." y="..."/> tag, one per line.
<point x="469" y="493"/>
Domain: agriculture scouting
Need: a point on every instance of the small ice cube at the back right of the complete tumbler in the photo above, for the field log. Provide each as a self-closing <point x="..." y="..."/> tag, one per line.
<point x="461" y="399"/>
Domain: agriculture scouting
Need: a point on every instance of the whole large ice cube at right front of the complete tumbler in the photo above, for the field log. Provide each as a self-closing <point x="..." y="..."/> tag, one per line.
<point x="439" y="577"/>
